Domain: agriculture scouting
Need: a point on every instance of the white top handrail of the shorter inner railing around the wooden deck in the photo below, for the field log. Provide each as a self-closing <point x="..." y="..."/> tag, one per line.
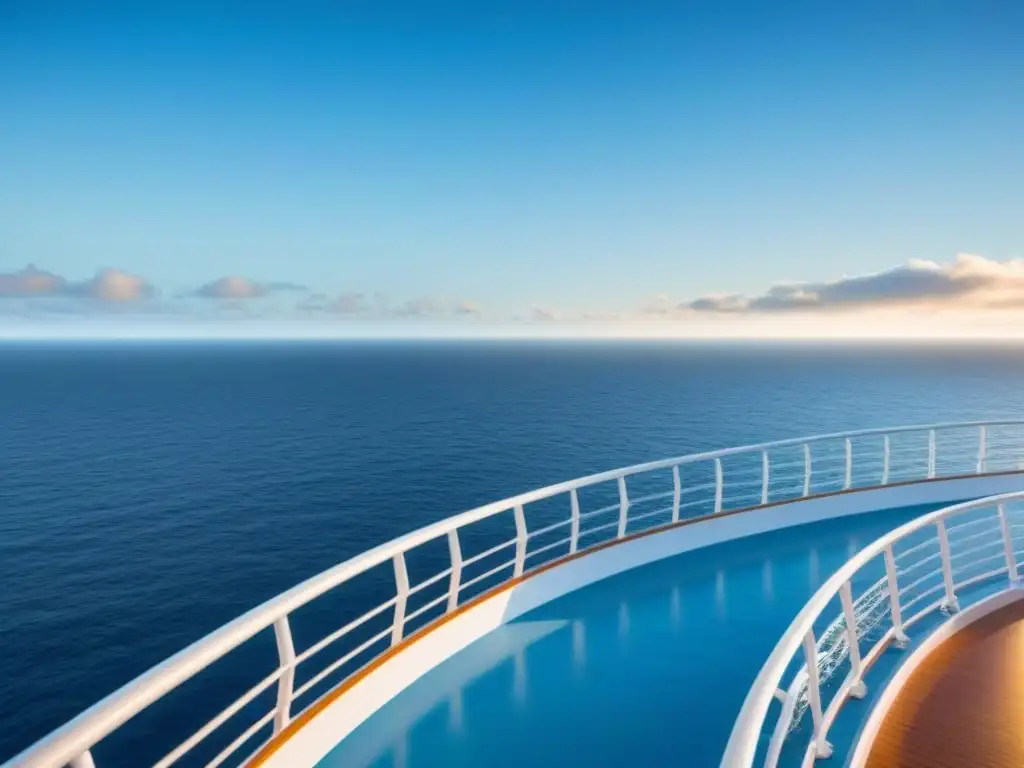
<point x="742" y="749"/>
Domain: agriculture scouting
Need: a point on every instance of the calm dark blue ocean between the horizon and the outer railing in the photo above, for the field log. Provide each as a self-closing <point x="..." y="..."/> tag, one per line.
<point x="150" y="493"/>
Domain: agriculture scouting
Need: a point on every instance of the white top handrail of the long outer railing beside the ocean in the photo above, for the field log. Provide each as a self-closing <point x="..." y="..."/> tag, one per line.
<point x="71" y="744"/>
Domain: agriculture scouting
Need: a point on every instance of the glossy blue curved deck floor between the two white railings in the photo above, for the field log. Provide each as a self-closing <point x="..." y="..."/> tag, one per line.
<point x="641" y="669"/>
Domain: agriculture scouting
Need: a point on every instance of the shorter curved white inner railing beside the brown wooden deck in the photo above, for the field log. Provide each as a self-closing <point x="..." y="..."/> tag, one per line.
<point x="916" y="575"/>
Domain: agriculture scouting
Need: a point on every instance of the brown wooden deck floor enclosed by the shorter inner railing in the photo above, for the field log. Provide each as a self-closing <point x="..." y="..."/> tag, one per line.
<point x="964" y="707"/>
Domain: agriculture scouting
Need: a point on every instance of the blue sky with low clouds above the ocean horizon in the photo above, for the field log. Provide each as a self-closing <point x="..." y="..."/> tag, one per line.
<point x="531" y="166"/>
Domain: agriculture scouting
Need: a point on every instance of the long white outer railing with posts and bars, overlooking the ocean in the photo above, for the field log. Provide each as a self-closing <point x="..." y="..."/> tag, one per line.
<point x="423" y="576"/>
